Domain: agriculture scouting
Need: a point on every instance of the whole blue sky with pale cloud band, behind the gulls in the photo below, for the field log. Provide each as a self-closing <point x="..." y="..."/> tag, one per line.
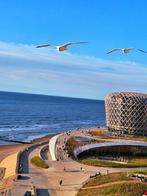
<point x="84" y="71"/>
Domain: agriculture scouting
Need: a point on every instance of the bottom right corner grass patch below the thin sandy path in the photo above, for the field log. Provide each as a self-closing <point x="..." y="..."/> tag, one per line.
<point x="122" y="189"/>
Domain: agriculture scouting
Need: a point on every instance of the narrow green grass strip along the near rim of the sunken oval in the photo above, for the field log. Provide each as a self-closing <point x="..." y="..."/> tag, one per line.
<point x="103" y="163"/>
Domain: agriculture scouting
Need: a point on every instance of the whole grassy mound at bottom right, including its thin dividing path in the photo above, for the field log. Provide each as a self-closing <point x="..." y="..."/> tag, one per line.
<point x="127" y="187"/>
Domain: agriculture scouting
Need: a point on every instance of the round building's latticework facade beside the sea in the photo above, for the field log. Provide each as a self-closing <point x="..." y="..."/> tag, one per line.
<point x="126" y="112"/>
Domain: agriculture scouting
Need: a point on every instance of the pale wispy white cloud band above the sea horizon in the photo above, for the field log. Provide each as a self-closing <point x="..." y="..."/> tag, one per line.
<point x="27" y="69"/>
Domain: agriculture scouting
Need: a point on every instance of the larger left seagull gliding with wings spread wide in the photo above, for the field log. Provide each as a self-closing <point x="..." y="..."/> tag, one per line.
<point x="62" y="47"/>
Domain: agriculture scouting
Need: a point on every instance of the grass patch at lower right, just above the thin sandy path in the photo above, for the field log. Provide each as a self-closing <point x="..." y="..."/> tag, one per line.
<point x="113" y="177"/>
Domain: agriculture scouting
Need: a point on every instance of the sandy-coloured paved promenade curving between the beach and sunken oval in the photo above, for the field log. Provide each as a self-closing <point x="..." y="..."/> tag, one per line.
<point x="48" y="181"/>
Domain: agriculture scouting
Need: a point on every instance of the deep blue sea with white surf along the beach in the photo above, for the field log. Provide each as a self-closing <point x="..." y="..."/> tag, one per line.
<point x="24" y="117"/>
